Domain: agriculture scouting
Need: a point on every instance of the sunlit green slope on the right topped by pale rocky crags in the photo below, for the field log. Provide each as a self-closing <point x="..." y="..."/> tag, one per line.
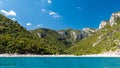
<point x="107" y="38"/>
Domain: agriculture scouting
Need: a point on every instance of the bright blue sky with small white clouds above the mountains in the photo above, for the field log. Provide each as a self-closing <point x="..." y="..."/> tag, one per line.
<point x="59" y="14"/>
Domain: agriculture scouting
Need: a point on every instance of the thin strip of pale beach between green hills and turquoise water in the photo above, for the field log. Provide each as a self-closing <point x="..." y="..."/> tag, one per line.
<point x="31" y="55"/>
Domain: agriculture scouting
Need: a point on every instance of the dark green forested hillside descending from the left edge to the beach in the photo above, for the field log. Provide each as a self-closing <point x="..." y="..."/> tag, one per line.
<point x="16" y="39"/>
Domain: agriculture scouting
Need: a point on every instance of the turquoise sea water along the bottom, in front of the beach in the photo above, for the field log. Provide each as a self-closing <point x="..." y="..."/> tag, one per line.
<point x="59" y="62"/>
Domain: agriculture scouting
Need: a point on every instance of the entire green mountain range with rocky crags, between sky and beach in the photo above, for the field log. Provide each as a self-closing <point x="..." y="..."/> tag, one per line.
<point x="16" y="39"/>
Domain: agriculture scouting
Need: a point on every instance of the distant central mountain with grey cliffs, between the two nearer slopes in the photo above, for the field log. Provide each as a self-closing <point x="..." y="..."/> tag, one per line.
<point x="62" y="39"/>
